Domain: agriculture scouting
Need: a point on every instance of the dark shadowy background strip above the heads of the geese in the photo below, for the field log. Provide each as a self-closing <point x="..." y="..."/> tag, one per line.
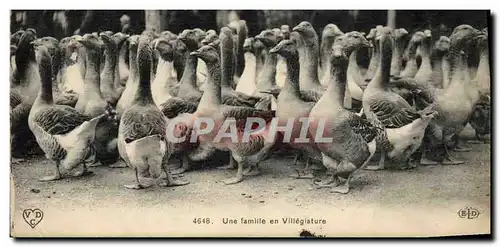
<point x="440" y="22"/>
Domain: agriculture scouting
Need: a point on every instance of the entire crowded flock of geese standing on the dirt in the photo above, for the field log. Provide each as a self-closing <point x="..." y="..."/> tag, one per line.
<point x="104" y="97"/>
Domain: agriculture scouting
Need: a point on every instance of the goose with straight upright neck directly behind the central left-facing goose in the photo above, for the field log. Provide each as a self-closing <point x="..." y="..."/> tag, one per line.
<point x="228" y="94"/>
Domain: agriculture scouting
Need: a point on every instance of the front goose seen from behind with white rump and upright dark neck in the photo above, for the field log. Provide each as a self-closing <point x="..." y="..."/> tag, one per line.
<point x="141" y="133"/>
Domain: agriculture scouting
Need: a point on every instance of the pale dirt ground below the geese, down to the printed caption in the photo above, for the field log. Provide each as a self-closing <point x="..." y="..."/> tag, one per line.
<point x="419" y="202"/>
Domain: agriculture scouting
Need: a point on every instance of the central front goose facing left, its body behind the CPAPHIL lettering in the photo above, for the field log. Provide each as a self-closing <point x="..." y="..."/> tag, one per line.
<point x="243" y="153"/>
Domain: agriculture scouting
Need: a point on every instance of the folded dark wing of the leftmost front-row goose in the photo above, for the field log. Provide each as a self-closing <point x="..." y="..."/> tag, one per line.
<point x="59" y="119"/>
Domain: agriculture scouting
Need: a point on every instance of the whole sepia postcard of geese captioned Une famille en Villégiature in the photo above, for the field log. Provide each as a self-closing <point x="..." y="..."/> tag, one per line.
<point x="250" y="123"/>
